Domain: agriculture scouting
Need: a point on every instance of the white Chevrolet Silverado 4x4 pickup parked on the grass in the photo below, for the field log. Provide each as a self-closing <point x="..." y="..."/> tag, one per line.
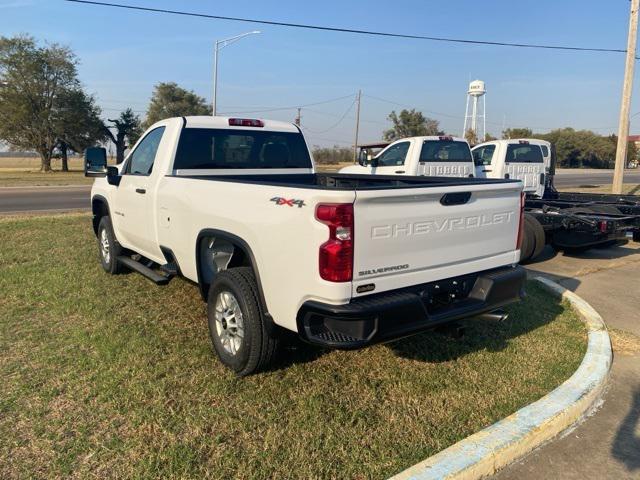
<point x="342" y="260"/>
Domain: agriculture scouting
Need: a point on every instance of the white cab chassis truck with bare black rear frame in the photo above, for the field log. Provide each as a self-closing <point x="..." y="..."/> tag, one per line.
<point x="567" y="221"/>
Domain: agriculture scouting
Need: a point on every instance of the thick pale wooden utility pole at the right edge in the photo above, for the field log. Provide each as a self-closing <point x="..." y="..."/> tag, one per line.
<point x="627" y="88"/>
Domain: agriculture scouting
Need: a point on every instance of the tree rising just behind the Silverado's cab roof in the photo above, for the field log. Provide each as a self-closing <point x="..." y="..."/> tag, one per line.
<point x="170" y="100"/>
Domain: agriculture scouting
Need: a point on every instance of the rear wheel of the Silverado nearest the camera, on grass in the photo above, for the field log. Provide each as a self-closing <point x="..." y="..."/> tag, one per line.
<point x="256" y="349"/>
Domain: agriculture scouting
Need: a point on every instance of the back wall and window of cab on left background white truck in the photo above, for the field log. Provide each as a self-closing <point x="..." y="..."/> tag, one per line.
<point x="445" y="157"/>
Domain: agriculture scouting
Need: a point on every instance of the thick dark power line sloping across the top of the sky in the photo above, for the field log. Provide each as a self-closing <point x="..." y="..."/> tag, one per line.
<point x="351" y="30"/>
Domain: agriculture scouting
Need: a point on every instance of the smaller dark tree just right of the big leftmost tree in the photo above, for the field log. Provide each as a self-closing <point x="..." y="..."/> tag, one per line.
<point x="79" y="125"/>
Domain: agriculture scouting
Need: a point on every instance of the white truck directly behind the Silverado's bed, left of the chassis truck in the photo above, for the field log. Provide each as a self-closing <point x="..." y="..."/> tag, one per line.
<point x="441" y="156"/>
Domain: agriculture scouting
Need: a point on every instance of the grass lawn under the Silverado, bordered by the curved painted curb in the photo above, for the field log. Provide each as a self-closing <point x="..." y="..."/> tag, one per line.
<point x="112" y="376"/>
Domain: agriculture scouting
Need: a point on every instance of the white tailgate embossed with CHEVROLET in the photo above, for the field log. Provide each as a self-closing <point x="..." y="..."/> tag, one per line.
<point x="417" y="235"/>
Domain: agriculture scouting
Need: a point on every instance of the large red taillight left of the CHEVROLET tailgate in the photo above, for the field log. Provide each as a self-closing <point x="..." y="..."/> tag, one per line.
<point x="336" y="254"/>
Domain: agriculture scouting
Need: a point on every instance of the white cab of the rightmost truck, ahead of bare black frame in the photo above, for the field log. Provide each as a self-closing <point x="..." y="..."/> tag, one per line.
<point x="528" y="160"/>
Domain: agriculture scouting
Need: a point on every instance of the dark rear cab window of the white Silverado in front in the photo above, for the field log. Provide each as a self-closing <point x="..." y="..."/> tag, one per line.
<point x="210" y="148"/>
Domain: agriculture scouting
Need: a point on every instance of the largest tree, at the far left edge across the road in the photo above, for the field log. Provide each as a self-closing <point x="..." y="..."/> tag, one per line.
<point x="34" y="81"/>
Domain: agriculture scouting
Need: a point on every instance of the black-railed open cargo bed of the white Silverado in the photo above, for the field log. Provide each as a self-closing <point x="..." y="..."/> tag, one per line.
<point x="337" y="181"/>
